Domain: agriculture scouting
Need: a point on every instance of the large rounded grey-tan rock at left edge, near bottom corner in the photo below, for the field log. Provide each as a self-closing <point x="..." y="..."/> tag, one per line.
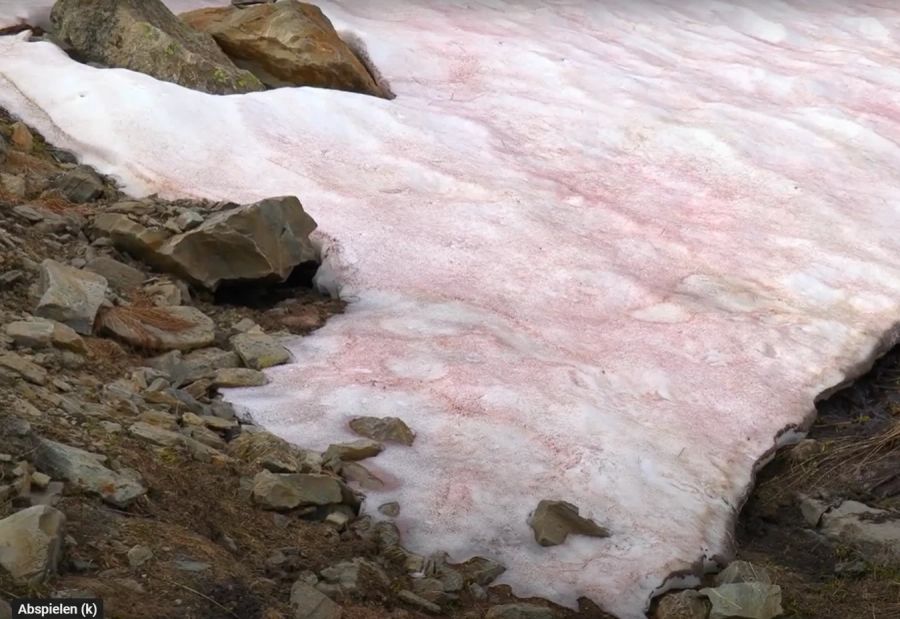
<point x="31" y="543"/>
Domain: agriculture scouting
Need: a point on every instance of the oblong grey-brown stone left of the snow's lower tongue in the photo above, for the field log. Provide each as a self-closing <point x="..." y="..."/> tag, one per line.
<point x="288" y="491"/>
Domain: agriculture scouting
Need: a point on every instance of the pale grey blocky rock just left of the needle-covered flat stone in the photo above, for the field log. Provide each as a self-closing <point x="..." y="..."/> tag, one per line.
<point x="70" y="296"/>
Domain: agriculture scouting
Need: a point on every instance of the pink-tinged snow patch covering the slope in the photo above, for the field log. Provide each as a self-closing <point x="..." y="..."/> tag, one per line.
<point x="602" y="252"/>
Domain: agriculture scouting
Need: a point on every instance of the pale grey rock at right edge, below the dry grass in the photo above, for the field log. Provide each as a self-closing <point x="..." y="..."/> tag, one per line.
<point x="874" y="532"/>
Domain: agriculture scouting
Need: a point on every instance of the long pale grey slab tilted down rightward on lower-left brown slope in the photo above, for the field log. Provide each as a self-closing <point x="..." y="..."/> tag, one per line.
<point x="84" y="470"/>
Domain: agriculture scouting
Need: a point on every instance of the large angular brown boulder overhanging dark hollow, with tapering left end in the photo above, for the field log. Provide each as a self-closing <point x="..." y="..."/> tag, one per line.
<point x="263" y="241"/>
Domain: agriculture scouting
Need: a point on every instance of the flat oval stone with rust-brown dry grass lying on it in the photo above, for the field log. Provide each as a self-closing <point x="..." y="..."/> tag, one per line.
<point x="159" y="328"/>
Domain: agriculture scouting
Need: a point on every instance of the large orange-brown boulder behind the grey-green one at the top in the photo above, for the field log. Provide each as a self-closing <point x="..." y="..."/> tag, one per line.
<point x="287" y="43"/>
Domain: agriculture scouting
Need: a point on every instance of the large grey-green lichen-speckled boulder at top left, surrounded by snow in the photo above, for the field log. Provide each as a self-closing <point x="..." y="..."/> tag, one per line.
<point x="144" y="36"/>
